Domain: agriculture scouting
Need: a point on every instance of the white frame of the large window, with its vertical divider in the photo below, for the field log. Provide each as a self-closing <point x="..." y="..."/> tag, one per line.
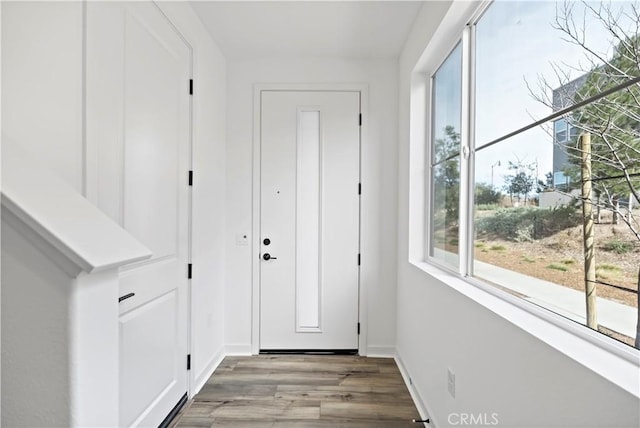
<point x="462" y="276"/>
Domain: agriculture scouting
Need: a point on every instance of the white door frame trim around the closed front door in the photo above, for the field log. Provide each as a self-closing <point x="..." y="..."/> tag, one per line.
<point x="363" y="89"/>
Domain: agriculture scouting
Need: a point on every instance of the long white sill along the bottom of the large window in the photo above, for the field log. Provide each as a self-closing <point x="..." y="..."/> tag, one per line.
<point x="616" y="362"/>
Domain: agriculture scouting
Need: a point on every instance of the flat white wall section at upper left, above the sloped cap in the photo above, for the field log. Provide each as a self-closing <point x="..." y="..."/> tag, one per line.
<point x="42" y="84"/>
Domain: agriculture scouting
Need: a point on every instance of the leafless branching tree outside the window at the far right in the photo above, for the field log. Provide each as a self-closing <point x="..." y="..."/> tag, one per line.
<point x="612" y="120"/>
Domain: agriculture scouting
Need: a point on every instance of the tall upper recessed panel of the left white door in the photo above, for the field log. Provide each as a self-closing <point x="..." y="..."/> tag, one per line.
<point x="151" y="192"/>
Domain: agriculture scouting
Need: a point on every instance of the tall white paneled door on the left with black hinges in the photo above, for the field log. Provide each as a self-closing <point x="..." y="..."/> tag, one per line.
<point x="138" y="134"/>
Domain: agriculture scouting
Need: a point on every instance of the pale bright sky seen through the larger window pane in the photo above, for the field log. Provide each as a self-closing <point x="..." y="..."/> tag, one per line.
<point x="515" y="45"/>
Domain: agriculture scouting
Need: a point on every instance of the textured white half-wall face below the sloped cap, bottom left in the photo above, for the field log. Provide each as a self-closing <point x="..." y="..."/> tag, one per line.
<point x="48" y="307"/>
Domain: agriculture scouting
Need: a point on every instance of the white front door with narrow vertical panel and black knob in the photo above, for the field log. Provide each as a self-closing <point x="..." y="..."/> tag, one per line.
<point x="309" y="224"/>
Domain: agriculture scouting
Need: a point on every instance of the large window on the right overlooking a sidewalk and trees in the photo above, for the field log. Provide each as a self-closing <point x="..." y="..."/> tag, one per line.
<point x="537" y="101"/>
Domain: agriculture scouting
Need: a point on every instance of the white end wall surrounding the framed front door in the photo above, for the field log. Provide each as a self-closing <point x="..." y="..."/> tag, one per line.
<point x="378" y="179"/>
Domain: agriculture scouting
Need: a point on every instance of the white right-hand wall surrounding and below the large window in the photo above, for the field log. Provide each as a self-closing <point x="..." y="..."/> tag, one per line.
<point x="500" y="367"/>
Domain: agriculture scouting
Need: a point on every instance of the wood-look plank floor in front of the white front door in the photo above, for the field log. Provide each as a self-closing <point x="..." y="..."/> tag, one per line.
<point x="302" y="391"/>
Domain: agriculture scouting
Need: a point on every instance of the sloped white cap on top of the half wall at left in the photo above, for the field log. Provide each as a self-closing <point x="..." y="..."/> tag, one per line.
<point x="42" y="206"/>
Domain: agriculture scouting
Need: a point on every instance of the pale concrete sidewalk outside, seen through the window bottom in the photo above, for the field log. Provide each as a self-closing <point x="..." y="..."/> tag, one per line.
<point x="562" y="300"/>
